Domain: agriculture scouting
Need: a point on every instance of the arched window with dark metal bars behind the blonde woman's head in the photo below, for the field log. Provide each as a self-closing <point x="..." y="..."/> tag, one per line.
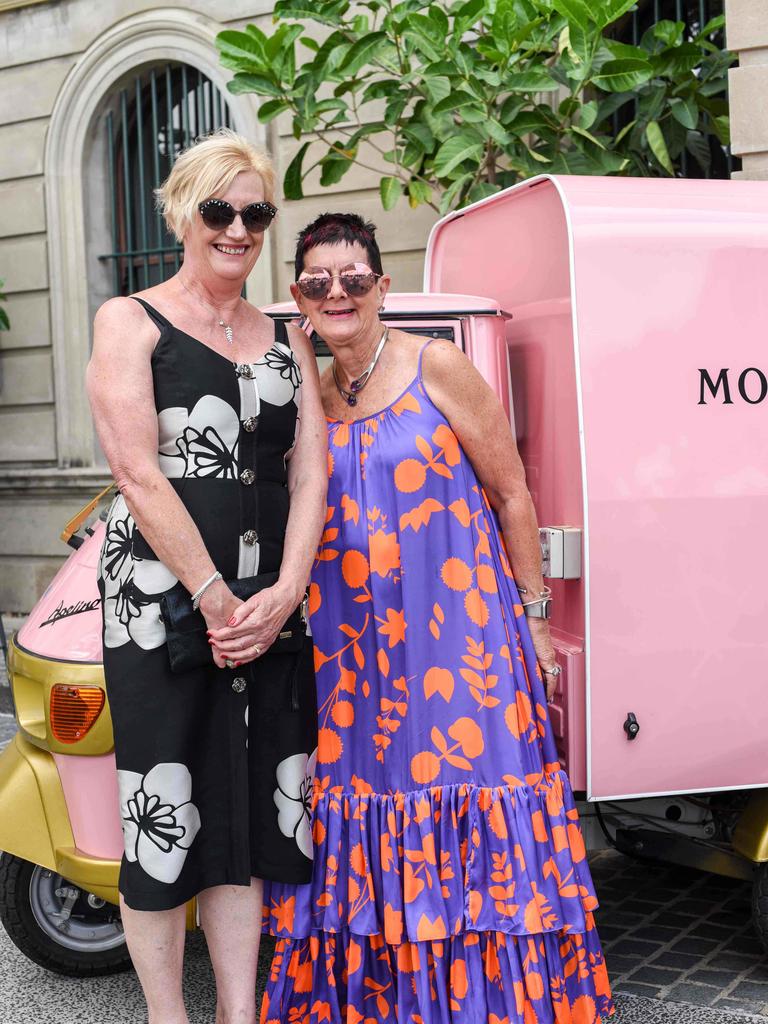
<point x="164" y="111"/>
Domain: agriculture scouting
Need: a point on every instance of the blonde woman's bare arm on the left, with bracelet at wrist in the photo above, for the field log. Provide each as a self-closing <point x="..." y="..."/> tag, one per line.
<point x="120" y="389"/>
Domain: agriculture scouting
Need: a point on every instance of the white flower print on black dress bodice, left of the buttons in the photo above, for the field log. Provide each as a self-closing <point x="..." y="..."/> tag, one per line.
<point x="203" y="443"/>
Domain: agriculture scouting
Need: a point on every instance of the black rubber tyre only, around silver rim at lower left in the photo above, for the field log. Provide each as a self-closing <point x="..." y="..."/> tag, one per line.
<point x="24" y="930"/>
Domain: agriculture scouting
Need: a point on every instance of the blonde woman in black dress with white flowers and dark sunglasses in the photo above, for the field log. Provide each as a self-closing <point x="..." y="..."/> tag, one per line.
<point x="210" y="417"/>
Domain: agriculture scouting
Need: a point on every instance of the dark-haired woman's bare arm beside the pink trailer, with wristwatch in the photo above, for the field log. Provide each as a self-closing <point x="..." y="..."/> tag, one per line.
<point x="478" y="419"/>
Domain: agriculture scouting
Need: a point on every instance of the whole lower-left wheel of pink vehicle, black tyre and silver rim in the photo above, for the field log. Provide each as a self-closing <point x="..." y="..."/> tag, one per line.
<point x="59" y="926"/>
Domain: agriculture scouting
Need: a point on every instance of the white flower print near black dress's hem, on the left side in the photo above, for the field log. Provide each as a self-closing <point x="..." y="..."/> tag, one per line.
<point x="160" y="822"/>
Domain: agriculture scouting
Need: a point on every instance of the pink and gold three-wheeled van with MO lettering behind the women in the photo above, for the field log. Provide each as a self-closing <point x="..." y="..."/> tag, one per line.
<point x="621" y="322"/>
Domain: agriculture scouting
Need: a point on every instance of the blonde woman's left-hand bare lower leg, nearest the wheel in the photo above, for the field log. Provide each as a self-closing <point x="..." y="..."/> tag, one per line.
<point x="156" y="943"/>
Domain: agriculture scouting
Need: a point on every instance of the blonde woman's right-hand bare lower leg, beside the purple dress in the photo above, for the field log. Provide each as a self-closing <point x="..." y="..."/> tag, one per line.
<point x="232" y="921"/>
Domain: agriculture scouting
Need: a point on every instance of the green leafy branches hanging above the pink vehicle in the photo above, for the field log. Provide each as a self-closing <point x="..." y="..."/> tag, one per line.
<point x="449" y="103"/>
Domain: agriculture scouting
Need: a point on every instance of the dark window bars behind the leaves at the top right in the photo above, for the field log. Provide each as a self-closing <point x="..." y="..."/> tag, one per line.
<point x="696" y="15"/>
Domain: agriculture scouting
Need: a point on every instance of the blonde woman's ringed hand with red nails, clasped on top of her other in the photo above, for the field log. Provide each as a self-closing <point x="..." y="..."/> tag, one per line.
<point x="254" y="625"/>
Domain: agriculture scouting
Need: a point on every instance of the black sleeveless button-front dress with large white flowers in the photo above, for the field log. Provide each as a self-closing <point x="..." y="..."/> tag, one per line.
<point x="216" y="766"/>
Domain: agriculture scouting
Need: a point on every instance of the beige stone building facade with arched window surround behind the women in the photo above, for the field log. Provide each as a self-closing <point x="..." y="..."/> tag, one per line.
<point x="62" y="65"/>
